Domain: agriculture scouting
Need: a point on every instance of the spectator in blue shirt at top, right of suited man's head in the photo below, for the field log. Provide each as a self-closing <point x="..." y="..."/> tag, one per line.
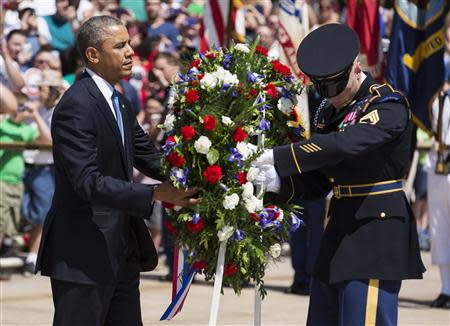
<point x="156" y="25"/>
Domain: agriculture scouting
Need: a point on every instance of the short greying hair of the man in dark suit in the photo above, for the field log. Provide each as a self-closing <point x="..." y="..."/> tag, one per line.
<point x="93" y="32"/>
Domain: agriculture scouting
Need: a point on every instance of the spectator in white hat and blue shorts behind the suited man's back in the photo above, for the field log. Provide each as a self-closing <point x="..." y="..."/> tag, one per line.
<point x="39" y="177"/>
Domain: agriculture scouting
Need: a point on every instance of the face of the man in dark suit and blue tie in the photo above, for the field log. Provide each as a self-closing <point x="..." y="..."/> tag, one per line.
<point x="114" y="55"/>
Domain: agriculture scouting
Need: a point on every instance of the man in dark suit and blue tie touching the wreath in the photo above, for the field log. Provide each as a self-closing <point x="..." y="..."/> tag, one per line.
<point x="94" y="241"/>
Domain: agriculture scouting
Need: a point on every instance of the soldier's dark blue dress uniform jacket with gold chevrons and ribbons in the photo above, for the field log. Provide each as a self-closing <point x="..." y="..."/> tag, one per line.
<point x="366" y="142"/>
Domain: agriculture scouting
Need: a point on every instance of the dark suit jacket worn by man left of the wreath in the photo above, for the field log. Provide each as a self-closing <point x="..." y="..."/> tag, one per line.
<point x="95" y="228"/>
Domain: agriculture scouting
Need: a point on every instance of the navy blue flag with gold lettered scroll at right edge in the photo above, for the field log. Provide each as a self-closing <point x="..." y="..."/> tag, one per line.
<point x="416" y="54"/>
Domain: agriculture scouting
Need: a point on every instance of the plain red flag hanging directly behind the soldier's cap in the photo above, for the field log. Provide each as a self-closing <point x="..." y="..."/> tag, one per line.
<point x="364" y="18"/>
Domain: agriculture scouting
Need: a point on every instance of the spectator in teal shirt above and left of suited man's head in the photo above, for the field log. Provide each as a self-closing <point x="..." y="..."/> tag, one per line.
<point x="62" y="25"/>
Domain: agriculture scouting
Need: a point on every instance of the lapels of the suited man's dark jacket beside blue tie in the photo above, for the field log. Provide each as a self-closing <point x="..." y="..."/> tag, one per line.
<point x="111" y="121"/>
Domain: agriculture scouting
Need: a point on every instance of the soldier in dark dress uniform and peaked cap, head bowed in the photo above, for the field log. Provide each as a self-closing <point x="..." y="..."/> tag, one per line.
<point x="360" y="152"/>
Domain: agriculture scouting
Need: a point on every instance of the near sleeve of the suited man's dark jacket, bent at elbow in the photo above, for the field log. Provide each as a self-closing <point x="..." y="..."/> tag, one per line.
<point x="75" y="151"/>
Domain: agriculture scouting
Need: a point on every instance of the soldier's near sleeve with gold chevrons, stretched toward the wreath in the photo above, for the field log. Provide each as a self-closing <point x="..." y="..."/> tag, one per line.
<point x="376" y="127"/>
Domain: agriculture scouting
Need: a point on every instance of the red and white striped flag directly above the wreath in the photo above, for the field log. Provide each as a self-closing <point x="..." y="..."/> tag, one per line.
<point x="222" y="20"/>
